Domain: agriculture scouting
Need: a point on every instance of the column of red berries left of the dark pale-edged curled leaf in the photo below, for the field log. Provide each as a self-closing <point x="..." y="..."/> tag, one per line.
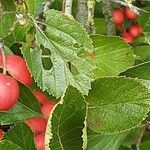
<point x="38" y="124"/>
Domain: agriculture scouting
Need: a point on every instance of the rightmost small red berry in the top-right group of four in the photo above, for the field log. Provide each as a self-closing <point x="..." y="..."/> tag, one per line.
<point x="135" y="30"/>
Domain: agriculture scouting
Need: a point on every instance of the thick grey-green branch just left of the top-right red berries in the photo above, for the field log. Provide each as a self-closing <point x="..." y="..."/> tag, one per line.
<point x="107" y="11"/>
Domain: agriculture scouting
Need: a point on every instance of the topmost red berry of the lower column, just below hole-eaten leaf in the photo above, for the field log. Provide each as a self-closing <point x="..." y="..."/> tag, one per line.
<point x="40" y="96"/>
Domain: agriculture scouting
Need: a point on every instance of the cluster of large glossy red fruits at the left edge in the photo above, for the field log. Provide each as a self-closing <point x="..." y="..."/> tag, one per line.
<point x="16" y="66"/>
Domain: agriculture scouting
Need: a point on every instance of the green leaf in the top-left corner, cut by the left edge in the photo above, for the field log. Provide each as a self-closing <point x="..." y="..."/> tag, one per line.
<point x="7" y="17"/>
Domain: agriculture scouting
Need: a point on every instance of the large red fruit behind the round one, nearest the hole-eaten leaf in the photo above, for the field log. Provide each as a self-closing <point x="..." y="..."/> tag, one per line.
<point x="17" y="67"/>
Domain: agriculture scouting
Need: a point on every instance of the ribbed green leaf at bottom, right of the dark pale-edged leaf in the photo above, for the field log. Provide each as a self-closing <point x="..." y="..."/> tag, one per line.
<point x="104" y="142"/>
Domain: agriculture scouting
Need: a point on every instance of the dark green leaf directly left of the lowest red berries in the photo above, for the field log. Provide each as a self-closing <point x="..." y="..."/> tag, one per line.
<point x="22" y="136"/>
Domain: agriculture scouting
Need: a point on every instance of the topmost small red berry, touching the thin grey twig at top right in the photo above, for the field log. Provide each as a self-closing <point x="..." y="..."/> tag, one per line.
<point x="130" y="14"/>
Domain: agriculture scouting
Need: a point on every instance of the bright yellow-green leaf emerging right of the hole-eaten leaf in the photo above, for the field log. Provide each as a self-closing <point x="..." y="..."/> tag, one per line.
<point x="111" y="56"/>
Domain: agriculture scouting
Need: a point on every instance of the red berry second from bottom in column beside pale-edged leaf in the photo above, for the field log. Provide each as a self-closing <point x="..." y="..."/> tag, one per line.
<point x="37" y="125"/>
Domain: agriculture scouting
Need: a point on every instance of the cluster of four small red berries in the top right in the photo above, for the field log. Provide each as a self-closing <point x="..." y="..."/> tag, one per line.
<point x="122" y="15"/>
